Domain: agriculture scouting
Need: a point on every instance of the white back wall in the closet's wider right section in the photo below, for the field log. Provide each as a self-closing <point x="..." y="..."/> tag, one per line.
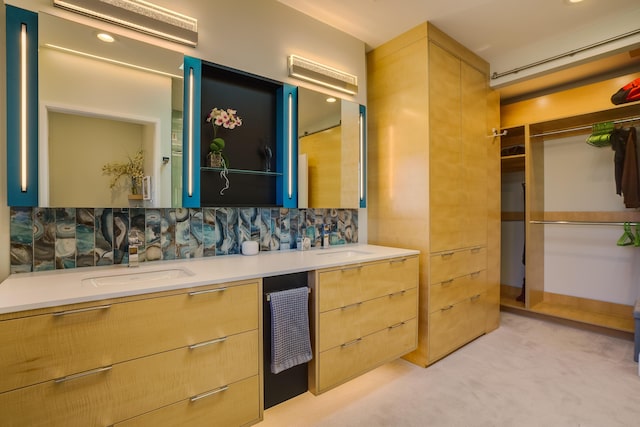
<point x="584" y="261"/>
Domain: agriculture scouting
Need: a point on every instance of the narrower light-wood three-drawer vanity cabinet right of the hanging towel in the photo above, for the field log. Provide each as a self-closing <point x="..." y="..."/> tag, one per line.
<point x="364" y="315"/>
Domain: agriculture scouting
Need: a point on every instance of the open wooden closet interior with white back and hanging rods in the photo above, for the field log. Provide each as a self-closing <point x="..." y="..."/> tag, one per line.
<point x="568" y="248"/>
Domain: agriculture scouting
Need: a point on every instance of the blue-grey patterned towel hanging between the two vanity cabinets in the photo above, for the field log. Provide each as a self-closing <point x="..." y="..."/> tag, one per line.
<point x="290" y="342"/>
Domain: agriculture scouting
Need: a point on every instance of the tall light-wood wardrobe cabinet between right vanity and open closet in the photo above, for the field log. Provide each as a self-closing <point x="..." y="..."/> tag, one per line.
<point x="434" y="181"/>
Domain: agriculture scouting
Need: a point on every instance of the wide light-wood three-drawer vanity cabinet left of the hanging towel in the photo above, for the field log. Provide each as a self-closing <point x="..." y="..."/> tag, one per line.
<point x="194" y="354"/>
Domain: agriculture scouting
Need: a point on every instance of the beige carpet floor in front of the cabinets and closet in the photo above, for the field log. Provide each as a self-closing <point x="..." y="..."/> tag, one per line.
<point x="529" y="372"/>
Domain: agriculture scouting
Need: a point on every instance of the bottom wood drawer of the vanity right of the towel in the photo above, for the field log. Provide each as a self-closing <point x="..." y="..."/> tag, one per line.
<point x="349" y="360"/>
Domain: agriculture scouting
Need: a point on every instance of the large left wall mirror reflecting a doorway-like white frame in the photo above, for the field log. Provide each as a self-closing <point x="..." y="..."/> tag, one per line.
<point x="101" y="103"/>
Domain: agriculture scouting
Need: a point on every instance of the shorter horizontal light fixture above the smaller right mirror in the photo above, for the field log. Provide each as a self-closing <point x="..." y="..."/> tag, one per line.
<point x="314" y="72"/>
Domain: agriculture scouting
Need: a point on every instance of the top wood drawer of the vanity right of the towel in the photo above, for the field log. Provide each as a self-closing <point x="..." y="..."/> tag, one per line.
<point x="361" y="282"/>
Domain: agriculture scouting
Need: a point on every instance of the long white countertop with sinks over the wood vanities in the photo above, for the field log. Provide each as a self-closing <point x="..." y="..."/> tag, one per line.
<point x="27" y="291"/>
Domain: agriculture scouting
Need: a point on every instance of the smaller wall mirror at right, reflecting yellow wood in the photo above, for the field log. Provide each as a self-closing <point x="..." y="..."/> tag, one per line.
<point x="329" y="151"/>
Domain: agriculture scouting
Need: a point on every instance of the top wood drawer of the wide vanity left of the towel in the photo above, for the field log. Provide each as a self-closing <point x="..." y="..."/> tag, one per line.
<point x="42" y="347"/>
